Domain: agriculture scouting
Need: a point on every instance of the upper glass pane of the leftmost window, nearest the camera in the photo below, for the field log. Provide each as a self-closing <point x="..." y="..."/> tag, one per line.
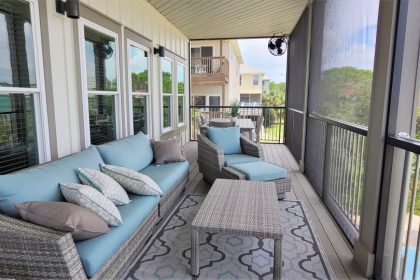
<point x="17" y="59"/>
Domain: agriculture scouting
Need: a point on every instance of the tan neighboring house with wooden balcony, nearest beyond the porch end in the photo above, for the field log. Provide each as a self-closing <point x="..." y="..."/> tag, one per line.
<point x="215" y="72"/>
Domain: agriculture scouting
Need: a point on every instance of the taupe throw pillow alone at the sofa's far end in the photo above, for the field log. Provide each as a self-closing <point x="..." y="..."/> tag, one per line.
<point x="166" y="151"/>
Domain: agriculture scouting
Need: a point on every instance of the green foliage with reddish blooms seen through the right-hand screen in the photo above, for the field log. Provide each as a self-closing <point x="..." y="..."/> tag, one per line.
<point x="345" y="94"/>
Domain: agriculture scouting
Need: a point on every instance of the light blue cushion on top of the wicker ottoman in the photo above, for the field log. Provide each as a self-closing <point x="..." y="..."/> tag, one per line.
<point x="261" y="171"/>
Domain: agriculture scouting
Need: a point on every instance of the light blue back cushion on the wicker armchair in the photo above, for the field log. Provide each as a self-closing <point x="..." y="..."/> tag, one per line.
<point x="227" y="138"/>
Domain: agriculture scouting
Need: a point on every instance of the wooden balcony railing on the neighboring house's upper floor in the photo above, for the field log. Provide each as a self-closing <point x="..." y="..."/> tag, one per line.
<point x="209" y="65"/>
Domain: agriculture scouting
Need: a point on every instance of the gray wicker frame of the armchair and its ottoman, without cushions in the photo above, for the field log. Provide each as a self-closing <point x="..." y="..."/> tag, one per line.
<point x="211" y="162"/>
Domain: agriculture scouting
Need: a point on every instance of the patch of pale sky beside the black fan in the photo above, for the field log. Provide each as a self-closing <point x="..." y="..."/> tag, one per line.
<point x="255" y="53"/>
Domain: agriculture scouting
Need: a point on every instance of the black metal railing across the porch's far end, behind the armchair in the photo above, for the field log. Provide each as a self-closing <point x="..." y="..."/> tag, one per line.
<point x="272" y="129"/>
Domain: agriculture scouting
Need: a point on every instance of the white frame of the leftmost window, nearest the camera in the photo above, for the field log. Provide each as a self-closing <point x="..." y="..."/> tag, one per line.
<point x="40" y="102"/>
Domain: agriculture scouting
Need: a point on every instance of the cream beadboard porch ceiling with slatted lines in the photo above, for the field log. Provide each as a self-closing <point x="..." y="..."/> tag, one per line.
<point x="217" y="19"/>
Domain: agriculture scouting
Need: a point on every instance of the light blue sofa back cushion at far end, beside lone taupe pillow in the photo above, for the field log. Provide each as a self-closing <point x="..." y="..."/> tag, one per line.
<point x="134" y="152"/>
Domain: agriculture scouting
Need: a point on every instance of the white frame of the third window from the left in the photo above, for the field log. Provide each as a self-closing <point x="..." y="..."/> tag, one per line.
<point x="131" y="43"/>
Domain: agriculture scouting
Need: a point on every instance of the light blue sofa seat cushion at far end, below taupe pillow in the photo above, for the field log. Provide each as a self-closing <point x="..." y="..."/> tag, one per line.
<point x="168" y="175"/>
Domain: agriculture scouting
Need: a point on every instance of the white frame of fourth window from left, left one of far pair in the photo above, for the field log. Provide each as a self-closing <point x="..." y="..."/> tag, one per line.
<point x="172" y="95"/>
